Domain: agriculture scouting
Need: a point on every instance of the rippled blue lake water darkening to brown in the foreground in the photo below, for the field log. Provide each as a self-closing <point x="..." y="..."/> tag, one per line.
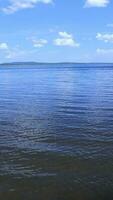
<point x="56" y="132"/>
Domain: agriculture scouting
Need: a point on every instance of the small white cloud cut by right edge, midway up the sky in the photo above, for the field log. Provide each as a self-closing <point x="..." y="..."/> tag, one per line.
<point x="105" y="37"/>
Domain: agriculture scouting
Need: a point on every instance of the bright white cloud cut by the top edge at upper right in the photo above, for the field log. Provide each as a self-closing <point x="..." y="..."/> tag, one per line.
<point x="97" y="3"/>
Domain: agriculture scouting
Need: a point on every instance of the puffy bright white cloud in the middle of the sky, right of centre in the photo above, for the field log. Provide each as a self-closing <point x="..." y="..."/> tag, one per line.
<point x="65" y="39"/>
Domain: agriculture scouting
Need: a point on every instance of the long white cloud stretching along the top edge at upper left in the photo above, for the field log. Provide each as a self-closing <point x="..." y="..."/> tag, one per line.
<point x="16" y="5"/>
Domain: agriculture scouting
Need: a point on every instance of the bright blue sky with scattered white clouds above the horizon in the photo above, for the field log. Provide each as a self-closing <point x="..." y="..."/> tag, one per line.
<point x="56" y="30"/>
